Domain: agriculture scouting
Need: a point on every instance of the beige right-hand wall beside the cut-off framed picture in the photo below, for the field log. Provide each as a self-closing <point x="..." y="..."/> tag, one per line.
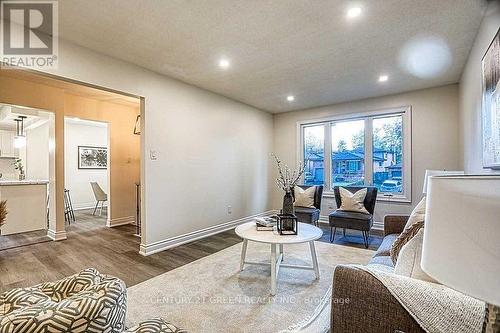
<point x="470" y="93"/>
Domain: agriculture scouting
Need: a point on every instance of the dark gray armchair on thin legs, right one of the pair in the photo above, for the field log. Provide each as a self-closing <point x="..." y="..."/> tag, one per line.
<point x="354" y="220"/>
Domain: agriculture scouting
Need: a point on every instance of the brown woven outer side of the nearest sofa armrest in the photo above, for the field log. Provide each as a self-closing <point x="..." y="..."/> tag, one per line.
<point x="361" y="303"/>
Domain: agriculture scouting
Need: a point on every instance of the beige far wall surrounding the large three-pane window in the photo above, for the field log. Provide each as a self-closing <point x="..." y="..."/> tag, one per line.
<point x="434" y="136"/>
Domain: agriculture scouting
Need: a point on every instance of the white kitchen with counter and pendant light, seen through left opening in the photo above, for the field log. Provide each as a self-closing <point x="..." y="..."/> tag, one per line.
<point x="24" y="168"/>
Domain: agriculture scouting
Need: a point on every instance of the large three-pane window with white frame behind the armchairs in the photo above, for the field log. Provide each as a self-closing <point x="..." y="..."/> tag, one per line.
<point x="369" y="149"/>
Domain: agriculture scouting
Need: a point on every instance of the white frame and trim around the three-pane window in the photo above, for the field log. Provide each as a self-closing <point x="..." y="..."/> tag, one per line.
<point x="405" y="111"/>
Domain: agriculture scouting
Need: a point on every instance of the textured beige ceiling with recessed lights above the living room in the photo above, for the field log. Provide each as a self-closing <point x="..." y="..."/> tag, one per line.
<point x="276" y="48"/>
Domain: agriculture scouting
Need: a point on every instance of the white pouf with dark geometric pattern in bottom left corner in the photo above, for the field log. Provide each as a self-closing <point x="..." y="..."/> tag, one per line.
<point x="85" y="302"/>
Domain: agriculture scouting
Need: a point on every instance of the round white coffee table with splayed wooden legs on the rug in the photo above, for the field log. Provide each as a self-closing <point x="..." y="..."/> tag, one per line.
<point x="307" y="233"/>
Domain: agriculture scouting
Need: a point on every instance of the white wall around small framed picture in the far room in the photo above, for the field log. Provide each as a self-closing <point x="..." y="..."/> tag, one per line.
<point x="77" y="181"/>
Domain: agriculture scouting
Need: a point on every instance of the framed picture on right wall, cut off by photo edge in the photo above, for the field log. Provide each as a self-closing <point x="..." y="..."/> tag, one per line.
<point x="491" y="105"/>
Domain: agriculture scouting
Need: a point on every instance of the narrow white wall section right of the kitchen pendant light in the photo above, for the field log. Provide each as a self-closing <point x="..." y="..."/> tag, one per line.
<point x="37" y="152"/>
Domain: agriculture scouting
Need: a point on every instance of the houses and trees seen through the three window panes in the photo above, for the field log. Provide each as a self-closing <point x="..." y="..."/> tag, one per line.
<point x="348" y="154"/>
